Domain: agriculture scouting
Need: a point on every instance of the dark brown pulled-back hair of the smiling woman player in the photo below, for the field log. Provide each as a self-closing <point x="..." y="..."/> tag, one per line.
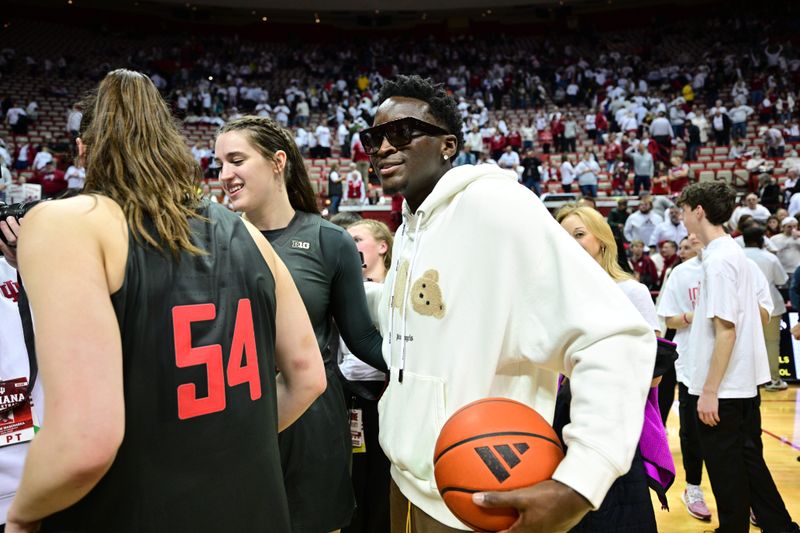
<point x="268" y="137"/>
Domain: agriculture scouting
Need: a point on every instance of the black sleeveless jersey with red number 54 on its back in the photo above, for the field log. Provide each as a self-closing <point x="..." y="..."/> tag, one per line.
<point x="200" y="451"/>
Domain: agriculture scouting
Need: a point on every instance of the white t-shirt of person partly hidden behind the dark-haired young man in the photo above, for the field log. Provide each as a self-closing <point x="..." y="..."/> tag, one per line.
<point x="678" y="296"/>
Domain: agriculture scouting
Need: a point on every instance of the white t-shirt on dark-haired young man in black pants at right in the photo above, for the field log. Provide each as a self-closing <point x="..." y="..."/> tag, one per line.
<point x="728" y="290"/>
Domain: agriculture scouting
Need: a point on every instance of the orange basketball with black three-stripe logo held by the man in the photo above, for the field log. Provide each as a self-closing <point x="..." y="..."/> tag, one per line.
<point x="488" y="445"/>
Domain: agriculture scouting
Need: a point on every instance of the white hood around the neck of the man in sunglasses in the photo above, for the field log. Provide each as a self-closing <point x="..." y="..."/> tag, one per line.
<point x="453" y="182"/>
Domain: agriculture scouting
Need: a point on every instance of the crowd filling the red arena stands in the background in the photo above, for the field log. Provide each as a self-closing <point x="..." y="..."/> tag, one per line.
<point x="641" y="112"/>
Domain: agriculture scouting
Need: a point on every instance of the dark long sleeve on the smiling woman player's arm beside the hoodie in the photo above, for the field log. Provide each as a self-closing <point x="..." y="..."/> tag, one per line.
<point x="348" y="301"/>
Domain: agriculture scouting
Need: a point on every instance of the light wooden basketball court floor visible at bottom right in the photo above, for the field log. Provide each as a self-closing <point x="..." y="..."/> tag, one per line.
<point x="780" y="413"/>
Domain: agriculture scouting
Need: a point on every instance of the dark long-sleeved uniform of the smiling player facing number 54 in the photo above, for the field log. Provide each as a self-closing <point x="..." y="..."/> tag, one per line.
<point x="317" y="449"/>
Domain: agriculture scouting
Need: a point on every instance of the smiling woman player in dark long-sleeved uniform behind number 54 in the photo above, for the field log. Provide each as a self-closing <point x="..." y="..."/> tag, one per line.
<point x="264" y="176"/>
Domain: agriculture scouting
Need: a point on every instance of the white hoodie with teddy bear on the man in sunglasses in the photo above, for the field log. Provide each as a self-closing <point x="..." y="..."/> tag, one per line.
<point x="493" y="298"/>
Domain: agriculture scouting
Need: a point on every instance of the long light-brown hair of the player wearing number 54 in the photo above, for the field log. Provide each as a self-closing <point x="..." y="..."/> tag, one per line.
<point x="137" y="157"/>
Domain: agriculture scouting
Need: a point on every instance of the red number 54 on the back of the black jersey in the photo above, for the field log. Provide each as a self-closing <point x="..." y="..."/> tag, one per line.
<point x="242" y="362"/>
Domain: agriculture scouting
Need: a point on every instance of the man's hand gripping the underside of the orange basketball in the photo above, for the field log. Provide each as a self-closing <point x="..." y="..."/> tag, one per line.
<point x="547" y="507"/>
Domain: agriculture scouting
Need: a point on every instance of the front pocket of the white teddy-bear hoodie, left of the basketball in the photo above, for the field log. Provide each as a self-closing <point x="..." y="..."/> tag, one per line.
<point x="412" y="415"/>
